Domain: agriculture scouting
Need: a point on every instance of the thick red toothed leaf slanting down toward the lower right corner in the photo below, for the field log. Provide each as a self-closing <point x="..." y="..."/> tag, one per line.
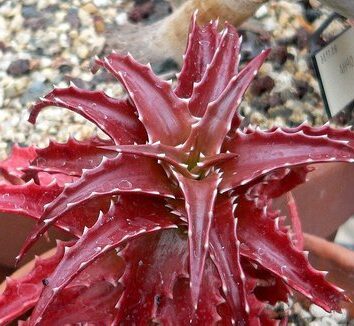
<point x="262" y="242"/>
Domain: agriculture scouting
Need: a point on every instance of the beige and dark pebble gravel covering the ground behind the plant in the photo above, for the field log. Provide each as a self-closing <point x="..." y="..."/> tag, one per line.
<point x="45" y="42"/>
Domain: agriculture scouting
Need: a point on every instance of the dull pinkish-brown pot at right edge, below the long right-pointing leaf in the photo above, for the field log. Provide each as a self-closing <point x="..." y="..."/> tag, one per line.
<point x="325" y="202"/>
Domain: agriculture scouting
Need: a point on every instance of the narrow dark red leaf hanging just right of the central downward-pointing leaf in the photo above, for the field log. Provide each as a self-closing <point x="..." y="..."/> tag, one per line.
<point x="225" y="251"/>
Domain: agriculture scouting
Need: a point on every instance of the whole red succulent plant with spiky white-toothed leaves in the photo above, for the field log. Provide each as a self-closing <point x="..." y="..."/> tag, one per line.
<point x="171" y="218"/>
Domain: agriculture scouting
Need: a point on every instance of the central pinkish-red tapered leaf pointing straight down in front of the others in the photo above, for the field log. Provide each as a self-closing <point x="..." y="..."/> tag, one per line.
<point x="199" y="198"/>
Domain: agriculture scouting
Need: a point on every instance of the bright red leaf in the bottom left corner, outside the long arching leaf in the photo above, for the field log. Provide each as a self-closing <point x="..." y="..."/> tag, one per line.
<point x="22" y="294"/>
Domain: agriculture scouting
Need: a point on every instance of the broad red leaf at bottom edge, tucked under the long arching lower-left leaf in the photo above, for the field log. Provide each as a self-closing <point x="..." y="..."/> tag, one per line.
<point x="90" y="298"/>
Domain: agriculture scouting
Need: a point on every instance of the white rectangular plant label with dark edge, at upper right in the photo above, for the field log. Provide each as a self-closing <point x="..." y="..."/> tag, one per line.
<point x="334" y="65"/>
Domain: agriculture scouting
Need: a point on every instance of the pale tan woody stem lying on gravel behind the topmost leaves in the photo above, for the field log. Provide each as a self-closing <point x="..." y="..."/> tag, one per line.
<point x="167" y="37"/>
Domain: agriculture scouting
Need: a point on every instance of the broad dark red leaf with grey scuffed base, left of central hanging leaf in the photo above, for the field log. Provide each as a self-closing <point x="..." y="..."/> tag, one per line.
<point x="153" y="264"/>
